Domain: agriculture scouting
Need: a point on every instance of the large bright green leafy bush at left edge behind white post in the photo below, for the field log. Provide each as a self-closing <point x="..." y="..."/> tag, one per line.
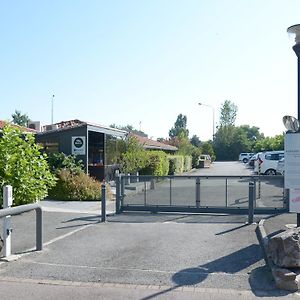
<point x="23" y="167"/>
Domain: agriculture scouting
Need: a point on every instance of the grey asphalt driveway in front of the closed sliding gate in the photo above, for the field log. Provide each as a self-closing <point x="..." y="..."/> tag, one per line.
<point x="137" y="256"/>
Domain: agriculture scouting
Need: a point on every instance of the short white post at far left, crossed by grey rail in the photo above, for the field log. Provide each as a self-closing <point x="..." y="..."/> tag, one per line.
<point x="7" y="202"/>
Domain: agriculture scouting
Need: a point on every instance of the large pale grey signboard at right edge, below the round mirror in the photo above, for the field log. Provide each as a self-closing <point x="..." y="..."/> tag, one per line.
<point x="292" y="161"/>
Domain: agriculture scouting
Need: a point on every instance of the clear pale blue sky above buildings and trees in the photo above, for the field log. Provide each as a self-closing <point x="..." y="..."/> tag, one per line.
<point x="143" y="63"/>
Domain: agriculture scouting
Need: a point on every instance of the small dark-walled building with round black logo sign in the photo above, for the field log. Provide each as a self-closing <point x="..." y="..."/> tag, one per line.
<point x="88" y="141"/>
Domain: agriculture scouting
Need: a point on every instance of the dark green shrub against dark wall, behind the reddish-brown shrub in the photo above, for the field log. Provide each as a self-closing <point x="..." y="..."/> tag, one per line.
<point x="61" y="161"/>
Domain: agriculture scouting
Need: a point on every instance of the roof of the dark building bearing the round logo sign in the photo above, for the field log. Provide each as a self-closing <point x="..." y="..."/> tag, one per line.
<point x="70" y="124"/>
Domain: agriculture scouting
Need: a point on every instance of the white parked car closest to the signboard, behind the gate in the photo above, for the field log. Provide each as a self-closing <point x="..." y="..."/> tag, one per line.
<point x="266" y="162"/>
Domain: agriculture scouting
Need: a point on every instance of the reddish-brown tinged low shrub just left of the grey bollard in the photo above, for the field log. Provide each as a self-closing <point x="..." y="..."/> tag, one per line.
<point x="79" y="186"/>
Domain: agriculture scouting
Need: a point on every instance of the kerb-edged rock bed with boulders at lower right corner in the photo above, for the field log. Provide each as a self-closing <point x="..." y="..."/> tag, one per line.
<point x="282" y="255"/>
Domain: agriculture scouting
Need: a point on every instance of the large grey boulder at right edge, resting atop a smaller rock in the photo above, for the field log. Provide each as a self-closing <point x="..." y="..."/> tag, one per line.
<point x="284" y="248"/>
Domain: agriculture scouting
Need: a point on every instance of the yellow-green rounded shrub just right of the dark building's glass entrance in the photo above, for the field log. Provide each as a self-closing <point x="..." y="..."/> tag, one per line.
<point x="135" y="157"/>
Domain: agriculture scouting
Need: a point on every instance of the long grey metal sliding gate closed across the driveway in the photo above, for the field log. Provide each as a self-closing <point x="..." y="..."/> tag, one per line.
<point x="201" y="194"/>
